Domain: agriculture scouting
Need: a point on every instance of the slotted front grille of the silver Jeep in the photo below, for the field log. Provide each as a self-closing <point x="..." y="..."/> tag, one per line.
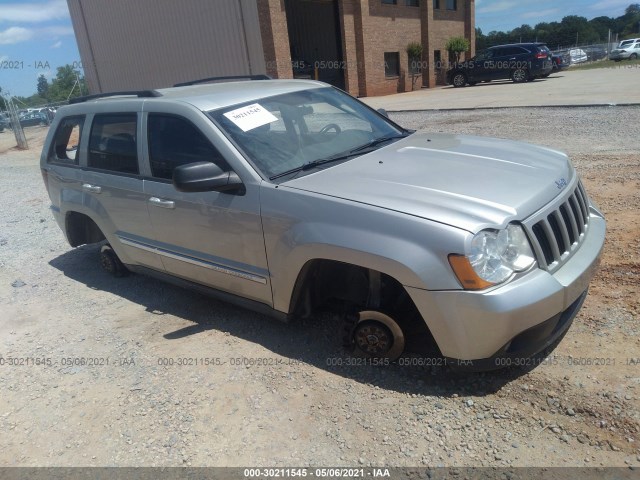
<point x="562" y="230"/>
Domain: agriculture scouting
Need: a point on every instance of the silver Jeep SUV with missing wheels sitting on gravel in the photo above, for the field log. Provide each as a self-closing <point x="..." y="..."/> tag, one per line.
<point x="291" y="197"/>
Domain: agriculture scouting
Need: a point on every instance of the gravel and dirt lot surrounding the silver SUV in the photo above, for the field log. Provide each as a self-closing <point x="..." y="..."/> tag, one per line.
<point x="133" y="372"/>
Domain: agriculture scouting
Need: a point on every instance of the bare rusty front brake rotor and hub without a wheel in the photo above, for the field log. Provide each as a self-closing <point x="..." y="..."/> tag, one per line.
<point x="377" y="335"/>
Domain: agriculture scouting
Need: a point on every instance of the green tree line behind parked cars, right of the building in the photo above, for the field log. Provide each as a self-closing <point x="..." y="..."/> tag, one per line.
<point x="573" y="30"/>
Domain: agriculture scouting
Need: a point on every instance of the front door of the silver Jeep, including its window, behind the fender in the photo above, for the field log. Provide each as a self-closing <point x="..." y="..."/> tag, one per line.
<point x="211" y="238"/>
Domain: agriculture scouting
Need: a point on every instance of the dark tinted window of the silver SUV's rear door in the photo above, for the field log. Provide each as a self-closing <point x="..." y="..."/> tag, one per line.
<point x="112" y="144"/>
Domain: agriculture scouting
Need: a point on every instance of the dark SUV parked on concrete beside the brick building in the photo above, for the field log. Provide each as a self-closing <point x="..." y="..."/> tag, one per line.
<point x="520" y="62"/>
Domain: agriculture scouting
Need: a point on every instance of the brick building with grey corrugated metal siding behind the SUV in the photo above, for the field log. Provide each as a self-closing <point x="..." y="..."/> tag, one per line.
<point x="358" y="45"/>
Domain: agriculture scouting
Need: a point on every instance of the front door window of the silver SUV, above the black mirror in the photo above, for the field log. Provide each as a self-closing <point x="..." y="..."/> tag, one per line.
<point x="174" y="141"/>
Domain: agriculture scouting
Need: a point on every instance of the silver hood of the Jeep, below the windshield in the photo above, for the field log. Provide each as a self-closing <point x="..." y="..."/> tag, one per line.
<point x="465" y="181"/>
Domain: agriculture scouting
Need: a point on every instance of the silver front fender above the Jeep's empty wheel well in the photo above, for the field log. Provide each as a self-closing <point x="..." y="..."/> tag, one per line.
<point x="302" y="226"/>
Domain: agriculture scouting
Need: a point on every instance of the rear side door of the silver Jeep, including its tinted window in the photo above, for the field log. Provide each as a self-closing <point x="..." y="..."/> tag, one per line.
<point x="113" y="187"/>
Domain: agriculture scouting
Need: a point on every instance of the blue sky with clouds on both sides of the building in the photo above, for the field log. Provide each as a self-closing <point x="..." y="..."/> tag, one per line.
<point x="36" y="36"/>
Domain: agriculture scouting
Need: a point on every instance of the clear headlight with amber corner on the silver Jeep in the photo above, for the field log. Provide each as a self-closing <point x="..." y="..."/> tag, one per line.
<point x="494" y="256"/>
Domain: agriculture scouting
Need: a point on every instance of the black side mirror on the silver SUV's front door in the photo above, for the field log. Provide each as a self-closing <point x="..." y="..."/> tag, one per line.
<point x="206" y="177"/>
